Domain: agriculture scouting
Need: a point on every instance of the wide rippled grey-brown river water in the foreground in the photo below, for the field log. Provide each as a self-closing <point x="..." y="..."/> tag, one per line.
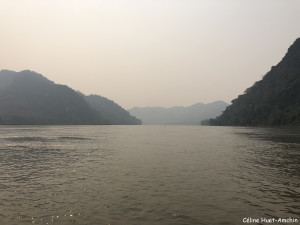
<point x="169" y="175"/>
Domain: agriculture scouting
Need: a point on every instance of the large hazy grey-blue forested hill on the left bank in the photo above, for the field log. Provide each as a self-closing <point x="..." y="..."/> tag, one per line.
<point x="29" y="98"/>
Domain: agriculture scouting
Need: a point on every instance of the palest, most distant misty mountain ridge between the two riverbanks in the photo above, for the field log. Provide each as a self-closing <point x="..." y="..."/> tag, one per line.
<point x="178" y="115"/>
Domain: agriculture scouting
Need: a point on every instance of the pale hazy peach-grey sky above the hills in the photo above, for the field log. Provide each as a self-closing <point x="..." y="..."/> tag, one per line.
<point x="149" y="52"/>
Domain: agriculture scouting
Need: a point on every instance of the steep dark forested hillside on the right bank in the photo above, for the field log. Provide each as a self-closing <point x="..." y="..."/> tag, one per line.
<point x="272" y="101"/>
